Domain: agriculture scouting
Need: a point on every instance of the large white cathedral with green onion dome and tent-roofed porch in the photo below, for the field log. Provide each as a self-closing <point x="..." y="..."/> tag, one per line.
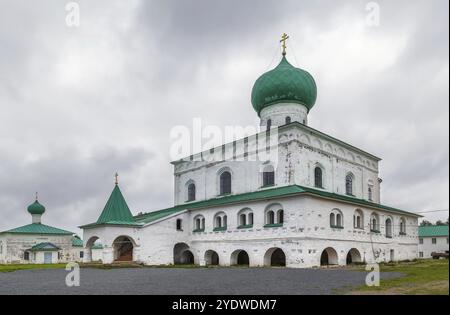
<point x="319" y="205"/>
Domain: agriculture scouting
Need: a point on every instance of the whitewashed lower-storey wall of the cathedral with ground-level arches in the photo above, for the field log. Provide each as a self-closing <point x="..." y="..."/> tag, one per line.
<point x="304" y="235"/>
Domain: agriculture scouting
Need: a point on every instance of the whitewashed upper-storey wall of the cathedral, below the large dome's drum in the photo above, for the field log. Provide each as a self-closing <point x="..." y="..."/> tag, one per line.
<point x="299" y="150"/>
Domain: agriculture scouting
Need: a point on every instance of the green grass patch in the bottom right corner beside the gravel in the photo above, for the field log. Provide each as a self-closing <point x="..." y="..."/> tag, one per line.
<point x="421" y="277"/>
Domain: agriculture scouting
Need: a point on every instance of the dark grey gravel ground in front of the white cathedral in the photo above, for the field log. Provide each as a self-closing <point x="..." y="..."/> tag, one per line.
<point x="176" y="281"/>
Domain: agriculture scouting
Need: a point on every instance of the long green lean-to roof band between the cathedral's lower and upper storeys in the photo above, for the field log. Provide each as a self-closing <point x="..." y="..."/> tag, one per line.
<point x="284" y="191"/>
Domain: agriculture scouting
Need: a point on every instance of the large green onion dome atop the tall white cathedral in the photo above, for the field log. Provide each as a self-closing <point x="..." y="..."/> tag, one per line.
<point x="284" y="84"/>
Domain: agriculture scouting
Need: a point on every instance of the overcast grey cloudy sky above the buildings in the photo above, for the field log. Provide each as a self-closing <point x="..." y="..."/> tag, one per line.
<point x="78" y="104"/>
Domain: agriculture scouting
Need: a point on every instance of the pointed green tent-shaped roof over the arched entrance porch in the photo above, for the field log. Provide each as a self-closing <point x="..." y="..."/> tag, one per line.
<point x="116" y="209"/>
